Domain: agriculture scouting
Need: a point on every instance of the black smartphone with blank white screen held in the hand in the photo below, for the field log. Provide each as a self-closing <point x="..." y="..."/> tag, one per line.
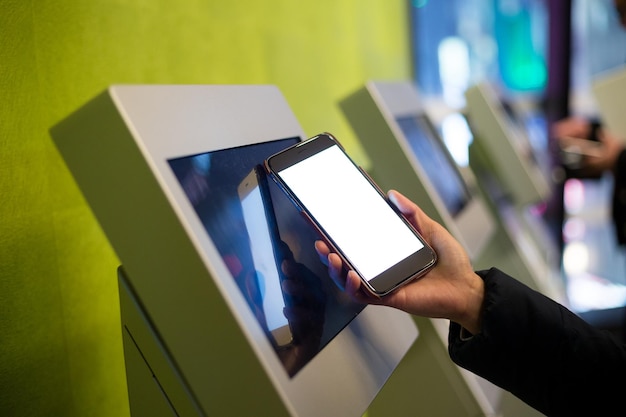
<point x="352" y="213"/>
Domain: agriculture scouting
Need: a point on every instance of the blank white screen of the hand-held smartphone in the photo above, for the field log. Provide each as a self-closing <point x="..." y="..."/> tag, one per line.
<point x="351" y="211"/>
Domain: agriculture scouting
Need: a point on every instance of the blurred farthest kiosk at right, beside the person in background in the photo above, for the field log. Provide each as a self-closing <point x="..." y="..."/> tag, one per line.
<point x="513" y="181"/>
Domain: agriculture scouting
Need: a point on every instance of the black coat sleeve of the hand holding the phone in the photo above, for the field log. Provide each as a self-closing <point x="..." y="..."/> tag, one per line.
<point x="542" y="353"/>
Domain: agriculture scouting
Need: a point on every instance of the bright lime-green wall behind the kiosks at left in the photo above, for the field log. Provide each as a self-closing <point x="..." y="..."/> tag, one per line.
<point x="60" y="337"/>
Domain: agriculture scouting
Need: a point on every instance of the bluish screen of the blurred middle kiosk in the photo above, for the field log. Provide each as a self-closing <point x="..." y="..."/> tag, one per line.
<point x="437" y="163"/>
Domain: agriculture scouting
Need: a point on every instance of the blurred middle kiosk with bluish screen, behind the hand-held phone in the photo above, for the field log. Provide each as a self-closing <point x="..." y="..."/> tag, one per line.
<point x="407" y="154"/>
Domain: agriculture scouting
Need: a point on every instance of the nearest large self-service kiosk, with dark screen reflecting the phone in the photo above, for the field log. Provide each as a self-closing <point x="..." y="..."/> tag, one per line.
<point x="221" y="316"/>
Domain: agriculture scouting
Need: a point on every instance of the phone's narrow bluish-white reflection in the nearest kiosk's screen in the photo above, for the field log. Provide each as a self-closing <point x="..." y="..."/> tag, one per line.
<point x="260" y="221"/>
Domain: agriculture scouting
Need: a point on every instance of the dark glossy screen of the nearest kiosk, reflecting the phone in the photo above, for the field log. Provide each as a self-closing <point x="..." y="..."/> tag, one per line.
<point x="309" y="307"/>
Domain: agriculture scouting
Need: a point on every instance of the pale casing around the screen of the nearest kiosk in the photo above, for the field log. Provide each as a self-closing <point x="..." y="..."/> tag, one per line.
<point x="188" y="332"/>
